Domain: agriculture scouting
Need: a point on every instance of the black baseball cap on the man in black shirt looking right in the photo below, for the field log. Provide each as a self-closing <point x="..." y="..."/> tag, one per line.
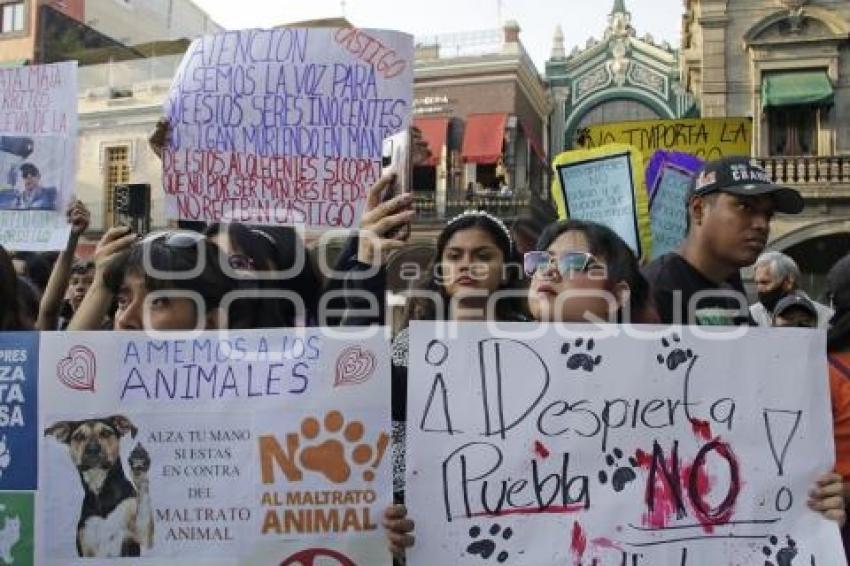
<point x="737" y="175"/>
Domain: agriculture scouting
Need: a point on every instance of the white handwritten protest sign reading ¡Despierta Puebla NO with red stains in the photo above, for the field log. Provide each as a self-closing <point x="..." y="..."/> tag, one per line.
<point x="576" y="447"/>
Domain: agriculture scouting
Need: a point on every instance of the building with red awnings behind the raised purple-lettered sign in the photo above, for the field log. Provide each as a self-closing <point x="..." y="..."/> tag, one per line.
<point x="483" y="110"/>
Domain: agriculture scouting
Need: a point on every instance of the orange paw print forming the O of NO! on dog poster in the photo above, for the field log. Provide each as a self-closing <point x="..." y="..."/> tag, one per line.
<point x="332" y="457"/>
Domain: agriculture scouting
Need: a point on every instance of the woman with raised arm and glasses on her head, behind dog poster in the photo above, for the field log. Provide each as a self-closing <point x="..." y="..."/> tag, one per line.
<point x="165" y="281"/>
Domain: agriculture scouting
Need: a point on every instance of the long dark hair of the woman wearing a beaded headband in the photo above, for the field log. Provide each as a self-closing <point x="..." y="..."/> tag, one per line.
<point x="507" y="309"/>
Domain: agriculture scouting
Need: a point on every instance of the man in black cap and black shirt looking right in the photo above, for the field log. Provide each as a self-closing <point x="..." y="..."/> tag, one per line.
<point x="730" y="205"/>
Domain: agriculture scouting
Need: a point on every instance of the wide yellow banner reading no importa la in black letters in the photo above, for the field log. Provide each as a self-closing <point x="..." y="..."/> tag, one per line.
<point x="706" y="138"/>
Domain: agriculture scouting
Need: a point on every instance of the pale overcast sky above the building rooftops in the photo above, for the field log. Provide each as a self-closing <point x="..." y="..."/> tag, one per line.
<point x="579" y="19"/>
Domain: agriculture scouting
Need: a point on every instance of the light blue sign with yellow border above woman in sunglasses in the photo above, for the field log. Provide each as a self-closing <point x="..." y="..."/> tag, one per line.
<point x="605" y="185"/>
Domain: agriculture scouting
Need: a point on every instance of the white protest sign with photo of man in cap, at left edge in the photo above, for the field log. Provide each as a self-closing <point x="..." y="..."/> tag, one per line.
<point x="38" y="137"/>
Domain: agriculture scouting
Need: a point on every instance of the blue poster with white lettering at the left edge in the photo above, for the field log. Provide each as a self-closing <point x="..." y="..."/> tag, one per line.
<point x="18" y="410"/>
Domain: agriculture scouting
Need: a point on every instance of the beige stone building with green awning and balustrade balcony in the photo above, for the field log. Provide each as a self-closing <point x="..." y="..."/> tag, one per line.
<point x="786" y="64"/>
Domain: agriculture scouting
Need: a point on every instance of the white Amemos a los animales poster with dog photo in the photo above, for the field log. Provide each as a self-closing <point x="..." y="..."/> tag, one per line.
<point x="262" y="447"/>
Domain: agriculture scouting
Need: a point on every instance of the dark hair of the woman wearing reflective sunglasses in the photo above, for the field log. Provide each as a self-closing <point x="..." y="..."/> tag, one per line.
<point x="621" y="263"/>
